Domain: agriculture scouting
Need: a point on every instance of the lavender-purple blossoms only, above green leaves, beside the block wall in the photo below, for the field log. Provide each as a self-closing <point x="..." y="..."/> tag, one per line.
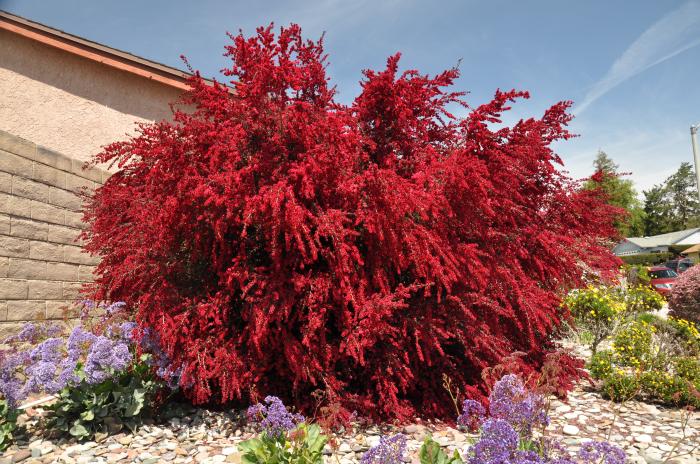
<point x="45" y="358"/>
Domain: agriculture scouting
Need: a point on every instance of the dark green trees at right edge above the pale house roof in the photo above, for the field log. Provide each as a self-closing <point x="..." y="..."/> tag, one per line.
<point x="673" y="205"/>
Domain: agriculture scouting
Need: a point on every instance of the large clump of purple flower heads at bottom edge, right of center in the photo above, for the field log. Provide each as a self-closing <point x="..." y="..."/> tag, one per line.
<point x="507" y="433"/>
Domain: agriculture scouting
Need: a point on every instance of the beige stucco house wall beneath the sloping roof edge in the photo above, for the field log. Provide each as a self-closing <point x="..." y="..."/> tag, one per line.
<point x="71" y="104"/>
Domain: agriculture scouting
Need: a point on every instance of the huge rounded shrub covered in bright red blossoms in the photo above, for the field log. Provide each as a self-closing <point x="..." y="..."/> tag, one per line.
<point x="279" y="242"/>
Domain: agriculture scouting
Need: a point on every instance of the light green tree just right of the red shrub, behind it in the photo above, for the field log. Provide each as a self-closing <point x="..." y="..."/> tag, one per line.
<point x="619" y="192"/>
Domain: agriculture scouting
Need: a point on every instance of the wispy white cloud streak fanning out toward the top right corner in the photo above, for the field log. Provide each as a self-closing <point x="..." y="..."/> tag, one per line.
<point x="675" y="33"/>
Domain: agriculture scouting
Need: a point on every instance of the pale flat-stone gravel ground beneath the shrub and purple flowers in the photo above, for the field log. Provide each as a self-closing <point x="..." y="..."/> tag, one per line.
<point x="649" y="434"/>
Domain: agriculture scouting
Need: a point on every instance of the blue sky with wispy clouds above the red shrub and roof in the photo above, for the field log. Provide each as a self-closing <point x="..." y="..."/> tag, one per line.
<point x="631" y="67"/>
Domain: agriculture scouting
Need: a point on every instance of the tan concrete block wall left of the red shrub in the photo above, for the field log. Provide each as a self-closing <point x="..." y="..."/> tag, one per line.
<point x="42" y="265"/>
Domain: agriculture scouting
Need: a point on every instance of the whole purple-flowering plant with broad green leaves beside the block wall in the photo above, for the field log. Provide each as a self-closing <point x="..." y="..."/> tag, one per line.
<point x="101" y="376"/>
